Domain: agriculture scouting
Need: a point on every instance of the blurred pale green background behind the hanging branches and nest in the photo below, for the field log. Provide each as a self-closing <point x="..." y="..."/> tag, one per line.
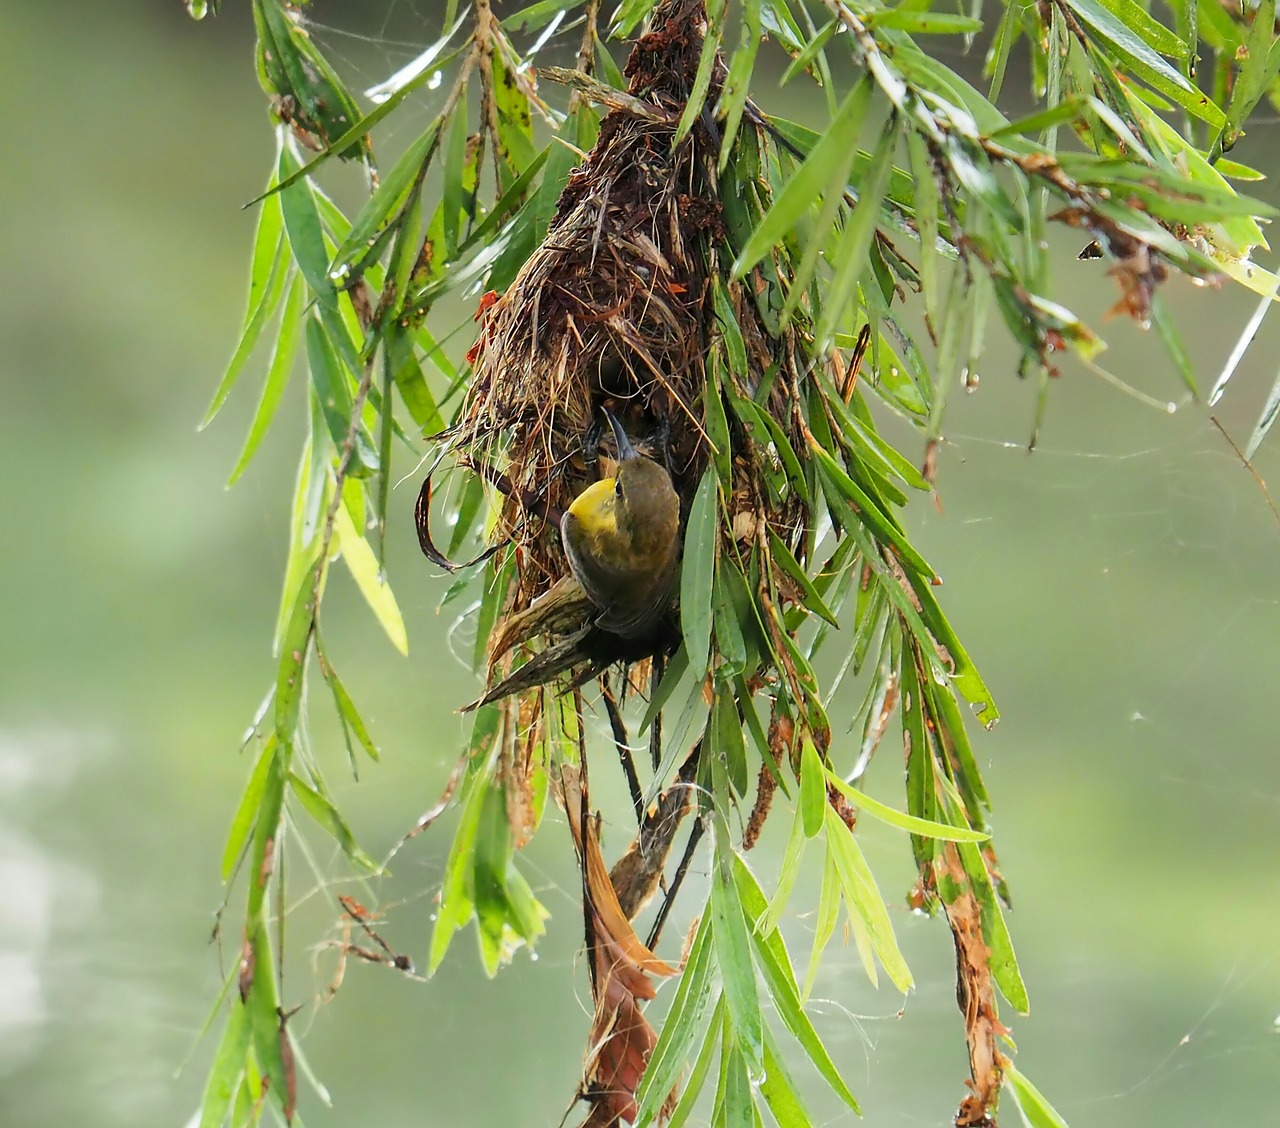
<point x="1119" y="588"/>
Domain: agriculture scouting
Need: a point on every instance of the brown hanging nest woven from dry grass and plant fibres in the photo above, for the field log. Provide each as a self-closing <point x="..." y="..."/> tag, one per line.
<point x="615" y="310"/>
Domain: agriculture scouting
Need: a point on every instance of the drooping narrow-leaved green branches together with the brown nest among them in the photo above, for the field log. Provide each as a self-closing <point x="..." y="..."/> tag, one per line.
<point x="751" y="287"/>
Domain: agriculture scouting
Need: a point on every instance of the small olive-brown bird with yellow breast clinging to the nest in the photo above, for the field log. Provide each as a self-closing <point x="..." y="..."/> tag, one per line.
<point x="621" y="538"/>
